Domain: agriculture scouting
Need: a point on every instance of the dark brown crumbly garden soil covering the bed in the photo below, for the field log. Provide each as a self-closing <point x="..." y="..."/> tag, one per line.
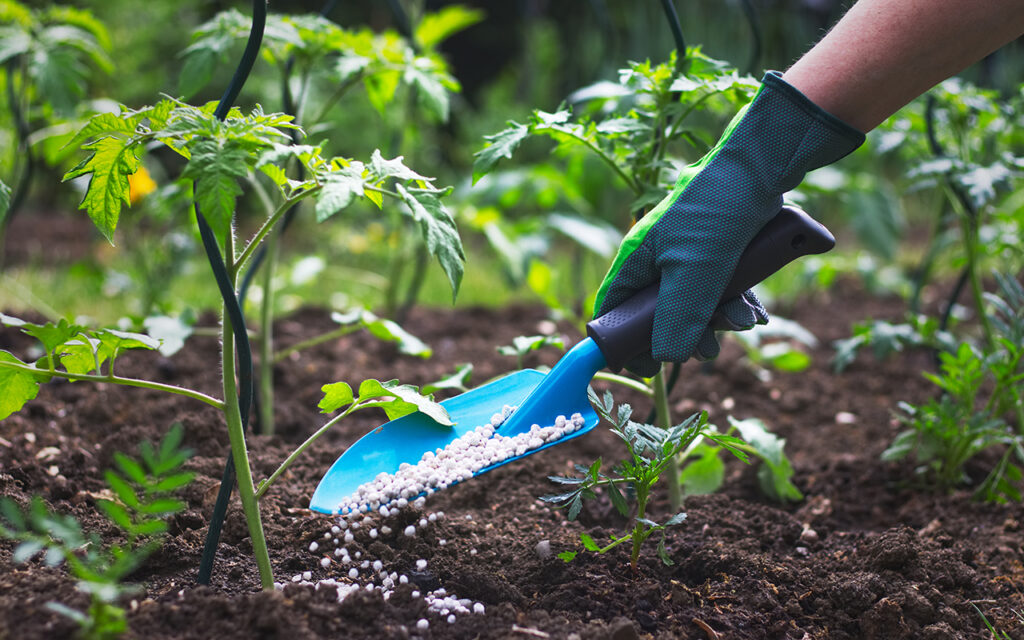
<point x="867" y="554"/>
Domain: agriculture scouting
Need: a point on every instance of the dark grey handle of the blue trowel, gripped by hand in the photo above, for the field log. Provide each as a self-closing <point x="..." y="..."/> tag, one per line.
<point x="625" y="332"/>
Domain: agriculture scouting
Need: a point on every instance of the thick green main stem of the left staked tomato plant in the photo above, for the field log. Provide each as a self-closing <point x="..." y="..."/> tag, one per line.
<point x="237" y="436"/>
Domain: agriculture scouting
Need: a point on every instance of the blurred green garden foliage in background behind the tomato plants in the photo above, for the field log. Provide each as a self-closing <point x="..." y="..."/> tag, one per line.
<point x="547" y="224"/>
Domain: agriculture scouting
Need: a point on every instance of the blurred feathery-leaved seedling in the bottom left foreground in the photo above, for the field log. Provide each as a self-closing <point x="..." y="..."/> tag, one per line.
<point x="143" y="502"/>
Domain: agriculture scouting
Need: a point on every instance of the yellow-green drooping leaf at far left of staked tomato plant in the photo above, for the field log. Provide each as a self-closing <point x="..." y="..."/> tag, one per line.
<point x="113" y="160"/>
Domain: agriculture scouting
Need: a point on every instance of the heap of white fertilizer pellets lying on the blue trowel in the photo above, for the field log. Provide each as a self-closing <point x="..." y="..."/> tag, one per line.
<point x="462" y="459"/>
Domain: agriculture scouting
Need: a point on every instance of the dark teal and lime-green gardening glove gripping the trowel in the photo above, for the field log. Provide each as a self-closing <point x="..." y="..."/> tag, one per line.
<point x="693" y="240"/>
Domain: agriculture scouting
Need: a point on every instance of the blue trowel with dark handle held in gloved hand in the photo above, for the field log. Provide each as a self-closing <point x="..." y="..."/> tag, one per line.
<point x="614" y="339"/>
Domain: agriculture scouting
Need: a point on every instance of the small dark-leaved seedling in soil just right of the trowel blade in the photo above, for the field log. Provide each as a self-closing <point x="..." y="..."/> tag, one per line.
<point x="651" y="451"/>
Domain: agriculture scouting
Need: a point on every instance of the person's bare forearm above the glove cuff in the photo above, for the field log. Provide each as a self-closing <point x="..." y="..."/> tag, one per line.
<point x="884" y="54"/>
